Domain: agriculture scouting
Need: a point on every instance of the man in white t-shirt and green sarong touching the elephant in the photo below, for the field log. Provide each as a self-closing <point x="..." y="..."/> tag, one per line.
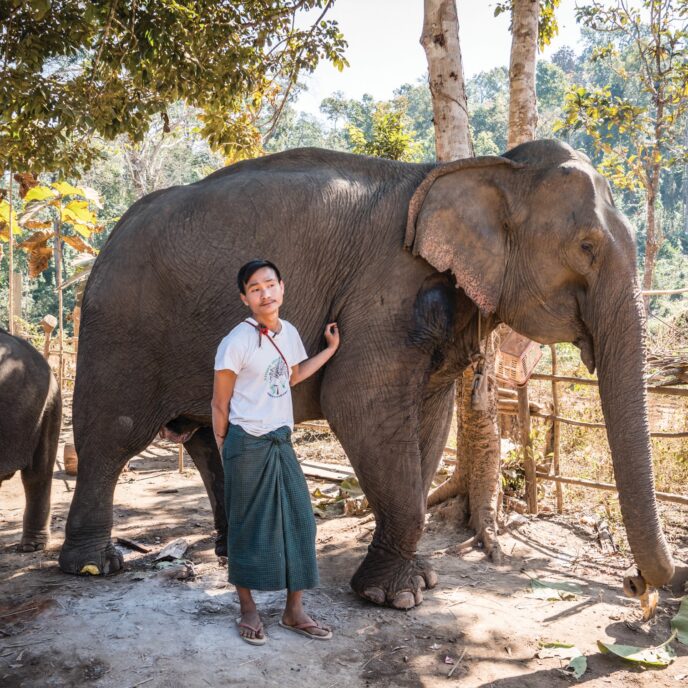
<point x="271" y="527"/>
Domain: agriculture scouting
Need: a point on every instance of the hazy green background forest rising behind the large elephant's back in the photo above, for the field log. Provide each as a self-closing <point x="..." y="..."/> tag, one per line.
<point x="583" y="98"/>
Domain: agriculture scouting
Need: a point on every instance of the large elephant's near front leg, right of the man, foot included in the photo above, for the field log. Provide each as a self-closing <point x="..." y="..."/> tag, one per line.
<point x="378" y="428"/>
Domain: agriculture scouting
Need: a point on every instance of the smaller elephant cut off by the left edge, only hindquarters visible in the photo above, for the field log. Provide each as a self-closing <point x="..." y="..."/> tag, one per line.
<point x="30" y="420"/>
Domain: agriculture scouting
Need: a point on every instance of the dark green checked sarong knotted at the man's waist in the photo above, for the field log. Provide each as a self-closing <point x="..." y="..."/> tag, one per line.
<point x="271" y="527"/>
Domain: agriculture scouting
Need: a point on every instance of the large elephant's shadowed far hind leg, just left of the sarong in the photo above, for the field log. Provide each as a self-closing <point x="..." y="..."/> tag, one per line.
<point x="203" y="450"/>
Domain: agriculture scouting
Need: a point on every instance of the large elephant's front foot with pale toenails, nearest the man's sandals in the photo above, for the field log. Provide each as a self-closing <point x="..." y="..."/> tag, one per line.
<point x="387" y="578"/>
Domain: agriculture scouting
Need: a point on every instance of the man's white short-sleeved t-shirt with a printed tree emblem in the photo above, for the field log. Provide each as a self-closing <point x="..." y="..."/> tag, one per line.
<point x="261" y="401"/>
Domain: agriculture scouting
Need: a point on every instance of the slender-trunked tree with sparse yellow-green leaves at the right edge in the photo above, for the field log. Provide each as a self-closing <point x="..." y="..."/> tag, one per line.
<point x="636" y="125"/>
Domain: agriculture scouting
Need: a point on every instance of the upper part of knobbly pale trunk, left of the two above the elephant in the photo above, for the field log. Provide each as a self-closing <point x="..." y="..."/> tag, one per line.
<point x="440" y="40"/>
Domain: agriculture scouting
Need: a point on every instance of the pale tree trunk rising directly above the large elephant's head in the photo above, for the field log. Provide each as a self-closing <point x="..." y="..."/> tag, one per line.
<point x="522" y="100"/>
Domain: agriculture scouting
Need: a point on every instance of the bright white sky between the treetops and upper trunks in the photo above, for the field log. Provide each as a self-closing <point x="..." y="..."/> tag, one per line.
<point x="384" y="49"/>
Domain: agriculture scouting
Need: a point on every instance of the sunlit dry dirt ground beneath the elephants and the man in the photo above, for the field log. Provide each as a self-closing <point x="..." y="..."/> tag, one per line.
<point x="481" y="626"/>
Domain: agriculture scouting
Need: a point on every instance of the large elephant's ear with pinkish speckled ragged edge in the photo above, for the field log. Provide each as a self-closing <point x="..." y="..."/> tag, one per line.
<point x="457" y="221"/>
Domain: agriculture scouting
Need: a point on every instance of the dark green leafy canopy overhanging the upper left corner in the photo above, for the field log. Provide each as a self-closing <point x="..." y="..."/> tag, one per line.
<point x="72" y="70"/>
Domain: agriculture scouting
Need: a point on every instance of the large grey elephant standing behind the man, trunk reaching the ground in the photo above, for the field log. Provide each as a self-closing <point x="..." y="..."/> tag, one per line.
<point x="416" y="263"/>
